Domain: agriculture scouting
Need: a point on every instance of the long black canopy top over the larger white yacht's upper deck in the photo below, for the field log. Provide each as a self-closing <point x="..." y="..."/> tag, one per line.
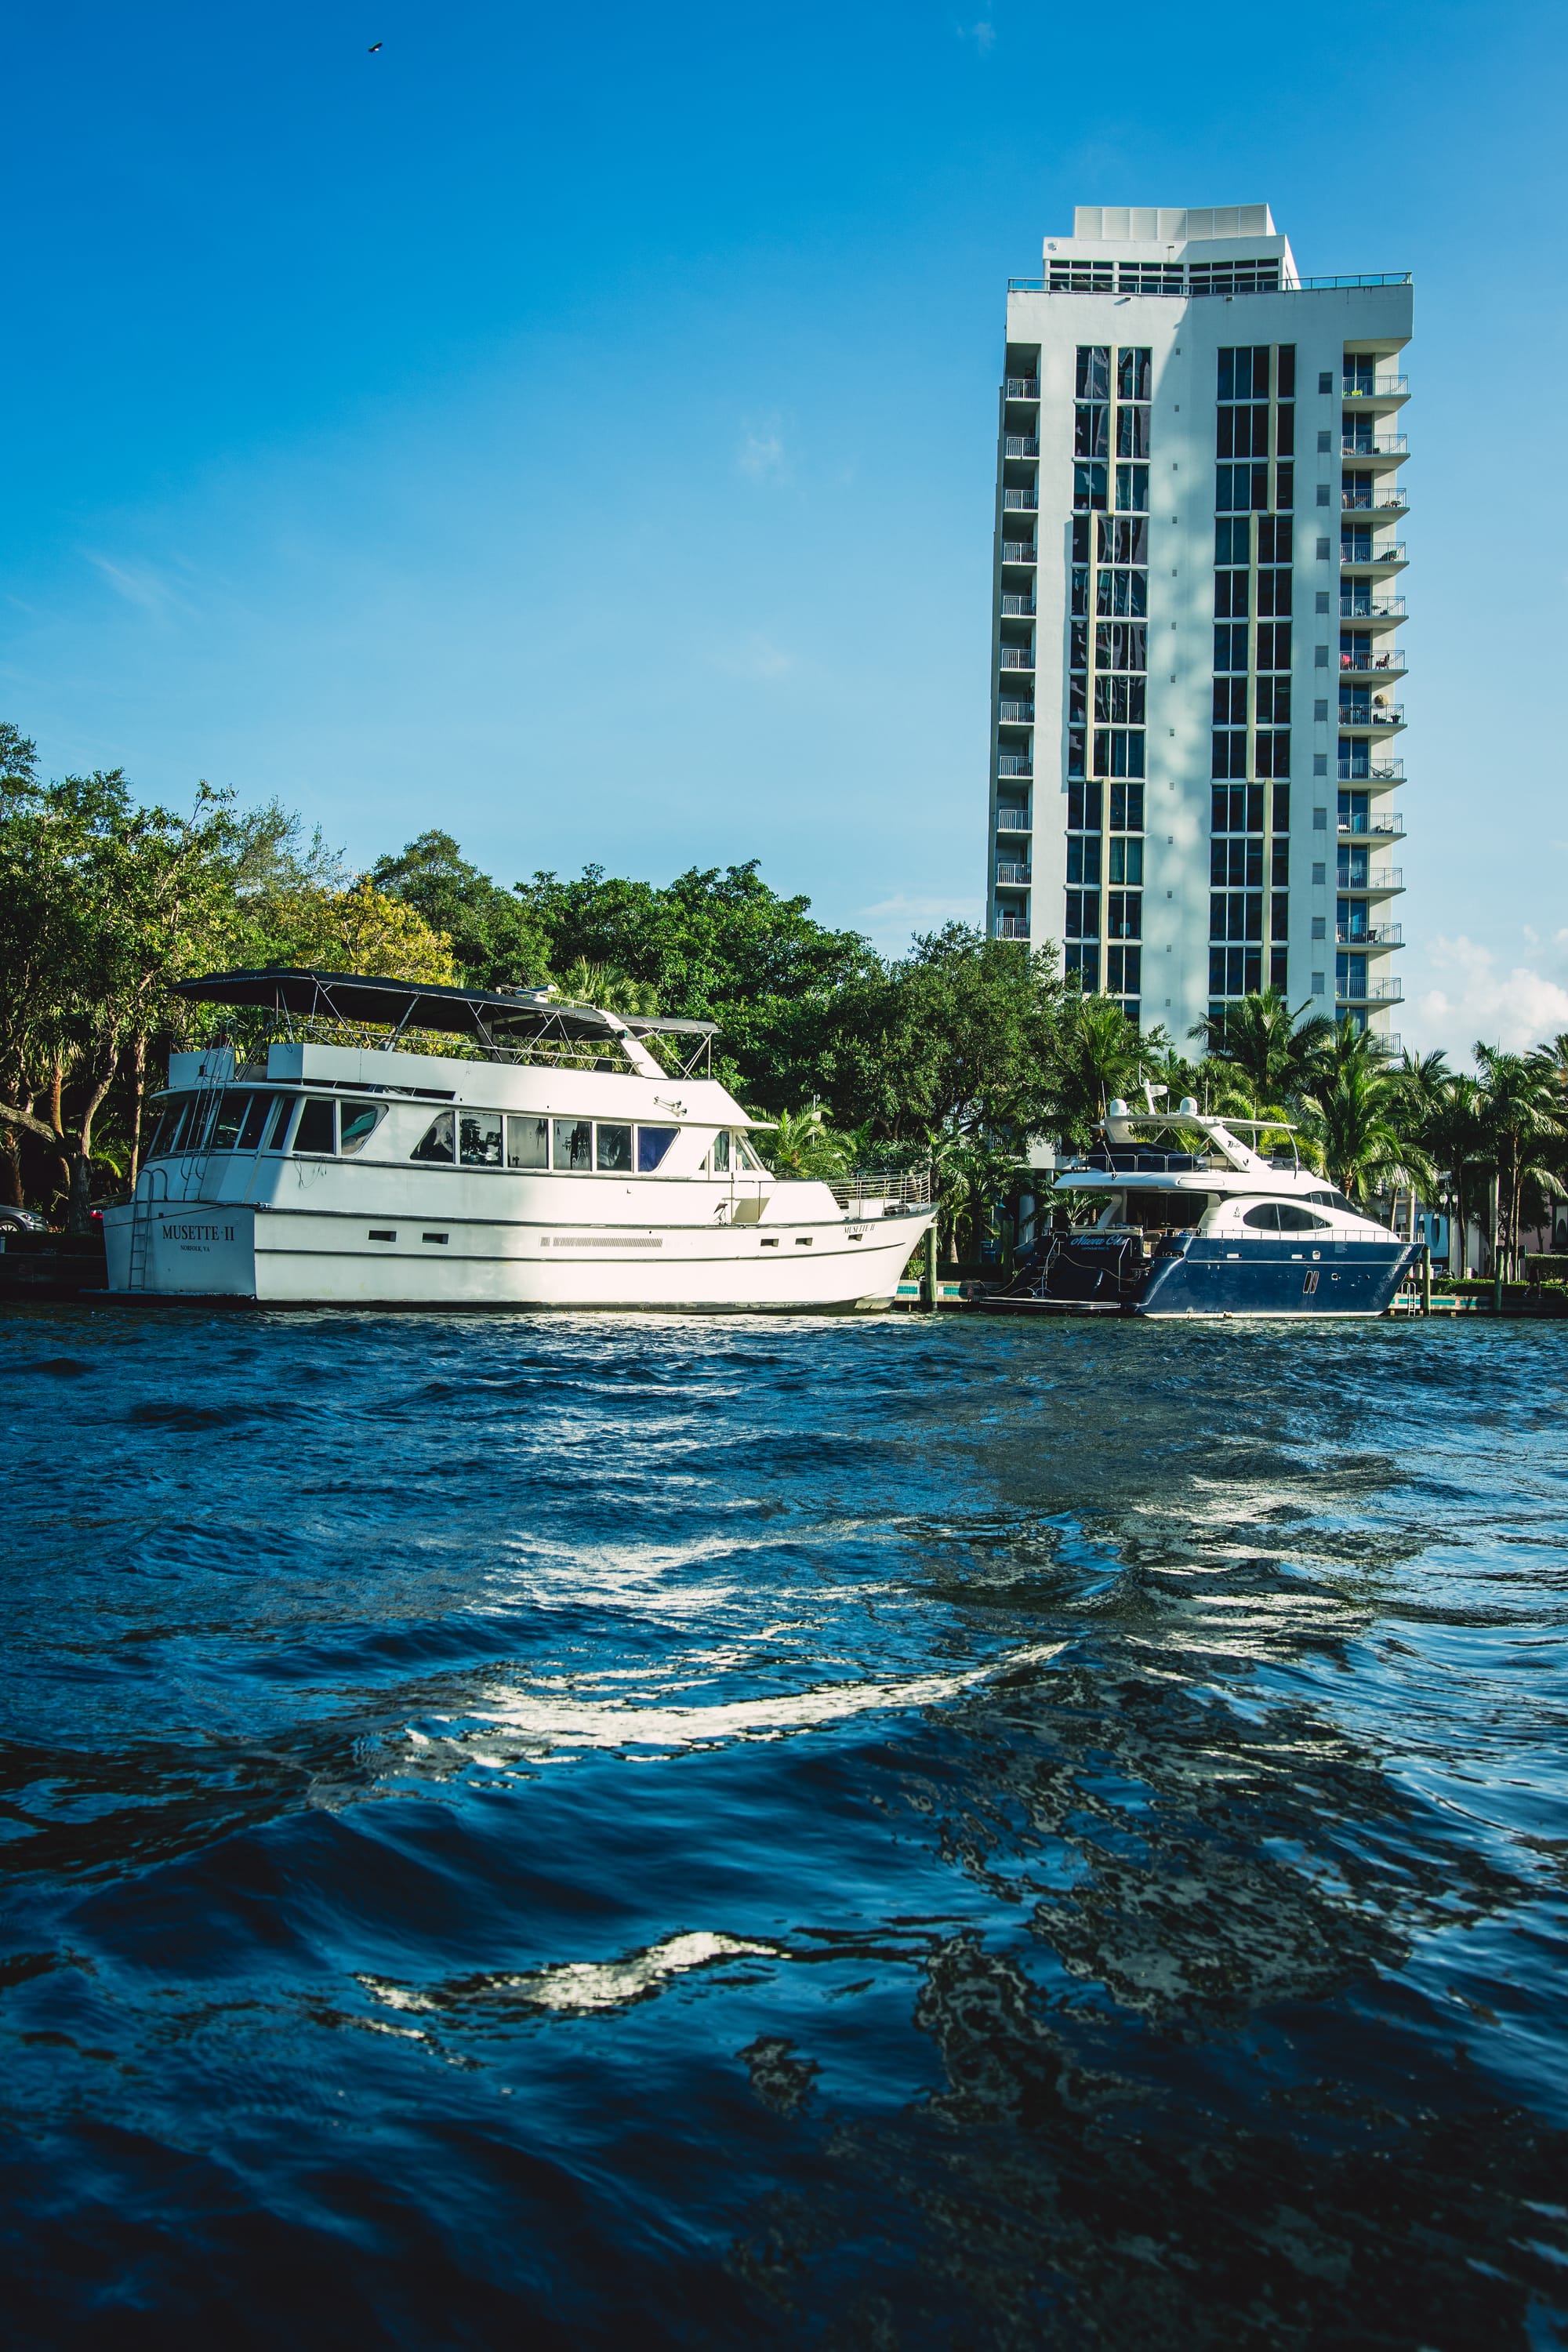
<point x="495" y="1017"/>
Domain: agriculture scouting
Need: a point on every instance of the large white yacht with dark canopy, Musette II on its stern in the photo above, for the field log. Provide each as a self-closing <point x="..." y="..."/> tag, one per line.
<point x="549" y="1161"/>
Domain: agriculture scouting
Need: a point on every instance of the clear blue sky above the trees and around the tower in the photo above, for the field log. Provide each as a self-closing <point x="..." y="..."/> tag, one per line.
<point x="575" y="429"/>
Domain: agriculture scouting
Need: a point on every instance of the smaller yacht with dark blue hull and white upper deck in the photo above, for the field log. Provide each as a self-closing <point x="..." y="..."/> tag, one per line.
<point x="1177" y="1215"/>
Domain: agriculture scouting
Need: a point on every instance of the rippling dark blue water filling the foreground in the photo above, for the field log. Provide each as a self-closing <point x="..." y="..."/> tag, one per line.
<point x="782" y="1833"/>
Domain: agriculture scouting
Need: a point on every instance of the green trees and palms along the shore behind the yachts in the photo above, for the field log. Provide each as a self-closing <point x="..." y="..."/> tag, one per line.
<point x="956" y="1055"/>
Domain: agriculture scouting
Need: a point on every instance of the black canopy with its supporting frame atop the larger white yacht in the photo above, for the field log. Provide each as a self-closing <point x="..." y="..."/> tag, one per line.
<point x="507" y="1024"/>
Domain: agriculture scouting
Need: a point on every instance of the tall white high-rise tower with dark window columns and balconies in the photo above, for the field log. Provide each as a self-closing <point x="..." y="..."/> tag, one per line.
<point x="1198" y="599"/>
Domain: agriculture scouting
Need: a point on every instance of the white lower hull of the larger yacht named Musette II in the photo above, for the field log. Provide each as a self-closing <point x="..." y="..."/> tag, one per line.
<point x="196" y="1250"/>
